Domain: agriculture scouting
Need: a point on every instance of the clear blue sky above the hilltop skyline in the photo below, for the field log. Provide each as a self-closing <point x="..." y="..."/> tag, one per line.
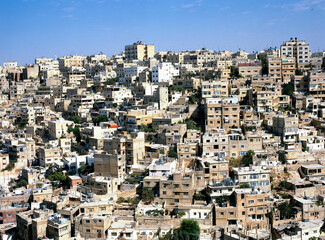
<point x="36" y="28"/>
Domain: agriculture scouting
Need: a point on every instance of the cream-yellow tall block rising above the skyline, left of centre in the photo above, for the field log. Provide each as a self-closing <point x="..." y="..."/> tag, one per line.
<point x="139" y="51"/>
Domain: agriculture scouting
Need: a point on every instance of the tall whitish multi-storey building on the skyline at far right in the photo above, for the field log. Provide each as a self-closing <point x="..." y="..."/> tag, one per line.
<point x="296" y="48"/>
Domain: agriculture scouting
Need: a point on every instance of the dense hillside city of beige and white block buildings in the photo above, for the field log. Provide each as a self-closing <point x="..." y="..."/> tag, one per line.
<point x="155" y="145"/>
